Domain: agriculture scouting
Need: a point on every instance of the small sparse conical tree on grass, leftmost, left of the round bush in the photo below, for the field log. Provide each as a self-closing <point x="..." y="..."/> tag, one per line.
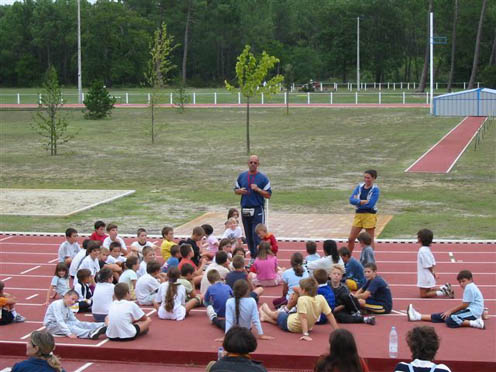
<point x="48" y="120"/>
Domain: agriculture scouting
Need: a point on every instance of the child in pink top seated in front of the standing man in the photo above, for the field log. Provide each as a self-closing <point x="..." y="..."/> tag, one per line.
<point x="264" y="271"/>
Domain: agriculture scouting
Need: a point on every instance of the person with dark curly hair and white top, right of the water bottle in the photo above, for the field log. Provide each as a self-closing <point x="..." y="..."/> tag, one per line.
<point x="423" y="343"/>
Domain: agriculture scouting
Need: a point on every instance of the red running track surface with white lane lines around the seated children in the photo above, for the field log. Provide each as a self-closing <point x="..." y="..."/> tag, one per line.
<point x="27" y="264"/>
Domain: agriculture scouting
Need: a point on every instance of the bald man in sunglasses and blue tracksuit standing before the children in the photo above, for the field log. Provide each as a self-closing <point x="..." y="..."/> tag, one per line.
<point x="254" y="188"/>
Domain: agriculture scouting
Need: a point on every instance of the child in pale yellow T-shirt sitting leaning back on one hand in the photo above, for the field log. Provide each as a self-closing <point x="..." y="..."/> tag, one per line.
<point x="309" y="308"/>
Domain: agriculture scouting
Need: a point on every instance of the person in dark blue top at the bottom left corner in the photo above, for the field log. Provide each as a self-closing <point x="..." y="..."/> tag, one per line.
<point x="39" y="349"/>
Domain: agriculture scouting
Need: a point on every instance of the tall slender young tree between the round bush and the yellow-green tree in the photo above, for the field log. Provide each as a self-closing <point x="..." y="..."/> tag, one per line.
<point x="160" y="67"/>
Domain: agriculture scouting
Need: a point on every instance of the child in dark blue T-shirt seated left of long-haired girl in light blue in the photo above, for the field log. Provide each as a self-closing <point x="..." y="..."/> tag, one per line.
<point x="215" y="299"/>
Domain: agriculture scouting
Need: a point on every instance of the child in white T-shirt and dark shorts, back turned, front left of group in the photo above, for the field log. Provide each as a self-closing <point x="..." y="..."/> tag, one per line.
<point x="126" y="320"/>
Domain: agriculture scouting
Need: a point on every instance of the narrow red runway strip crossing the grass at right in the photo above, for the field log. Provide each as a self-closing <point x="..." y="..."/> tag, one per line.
<point x="441" y="157"/>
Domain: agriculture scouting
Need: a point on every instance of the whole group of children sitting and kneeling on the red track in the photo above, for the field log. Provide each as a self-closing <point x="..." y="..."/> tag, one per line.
<point x="110" y="280"/>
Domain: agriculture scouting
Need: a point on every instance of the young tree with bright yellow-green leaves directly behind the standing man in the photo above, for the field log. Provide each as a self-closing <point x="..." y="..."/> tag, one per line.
<point x="251" y="74"/>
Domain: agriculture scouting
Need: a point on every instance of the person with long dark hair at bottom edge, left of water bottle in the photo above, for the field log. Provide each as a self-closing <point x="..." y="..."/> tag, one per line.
<point x="343" y="356"/>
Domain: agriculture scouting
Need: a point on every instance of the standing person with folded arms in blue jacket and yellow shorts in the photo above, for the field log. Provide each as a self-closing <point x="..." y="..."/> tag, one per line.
<point x="364" y="198"/>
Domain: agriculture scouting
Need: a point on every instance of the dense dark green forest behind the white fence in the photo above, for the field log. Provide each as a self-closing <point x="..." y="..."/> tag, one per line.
<point x="317" y="38"/>
